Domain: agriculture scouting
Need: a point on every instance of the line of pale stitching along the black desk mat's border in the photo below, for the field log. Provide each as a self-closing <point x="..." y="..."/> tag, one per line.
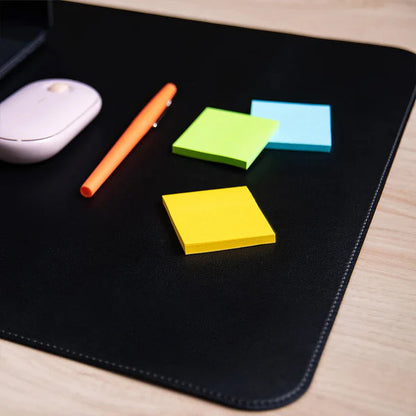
<point x="319" y="345"/>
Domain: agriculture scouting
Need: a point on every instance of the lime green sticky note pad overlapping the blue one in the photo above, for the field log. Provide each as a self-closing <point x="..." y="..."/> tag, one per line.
<point x="226" y="137"/>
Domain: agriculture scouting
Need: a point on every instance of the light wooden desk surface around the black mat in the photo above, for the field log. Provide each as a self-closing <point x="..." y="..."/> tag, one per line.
<point x="369" y="363"/>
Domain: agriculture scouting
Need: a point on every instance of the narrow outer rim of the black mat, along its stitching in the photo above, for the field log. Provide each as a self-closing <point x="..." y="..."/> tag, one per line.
<point x="251" y="404"/>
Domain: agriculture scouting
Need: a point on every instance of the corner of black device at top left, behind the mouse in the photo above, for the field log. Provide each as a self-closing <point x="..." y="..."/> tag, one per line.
<point x="23" y="28"/>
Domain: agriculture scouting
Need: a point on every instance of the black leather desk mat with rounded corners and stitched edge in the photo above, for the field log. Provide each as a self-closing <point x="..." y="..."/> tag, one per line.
<point x="104" y="281"/>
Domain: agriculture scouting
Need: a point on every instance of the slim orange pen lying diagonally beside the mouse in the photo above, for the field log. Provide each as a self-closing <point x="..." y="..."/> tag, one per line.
<point x="143" y="122"/>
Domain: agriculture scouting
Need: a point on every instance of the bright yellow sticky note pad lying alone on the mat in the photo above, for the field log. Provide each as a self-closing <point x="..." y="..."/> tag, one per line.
<point x="217" y="219"/>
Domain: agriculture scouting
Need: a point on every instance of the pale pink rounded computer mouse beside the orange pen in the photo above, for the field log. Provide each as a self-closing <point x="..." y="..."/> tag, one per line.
<point x="41" y="118"/>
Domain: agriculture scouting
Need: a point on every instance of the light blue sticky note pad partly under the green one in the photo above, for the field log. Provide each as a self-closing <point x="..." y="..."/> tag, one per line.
<point x="301" y="126"/>
